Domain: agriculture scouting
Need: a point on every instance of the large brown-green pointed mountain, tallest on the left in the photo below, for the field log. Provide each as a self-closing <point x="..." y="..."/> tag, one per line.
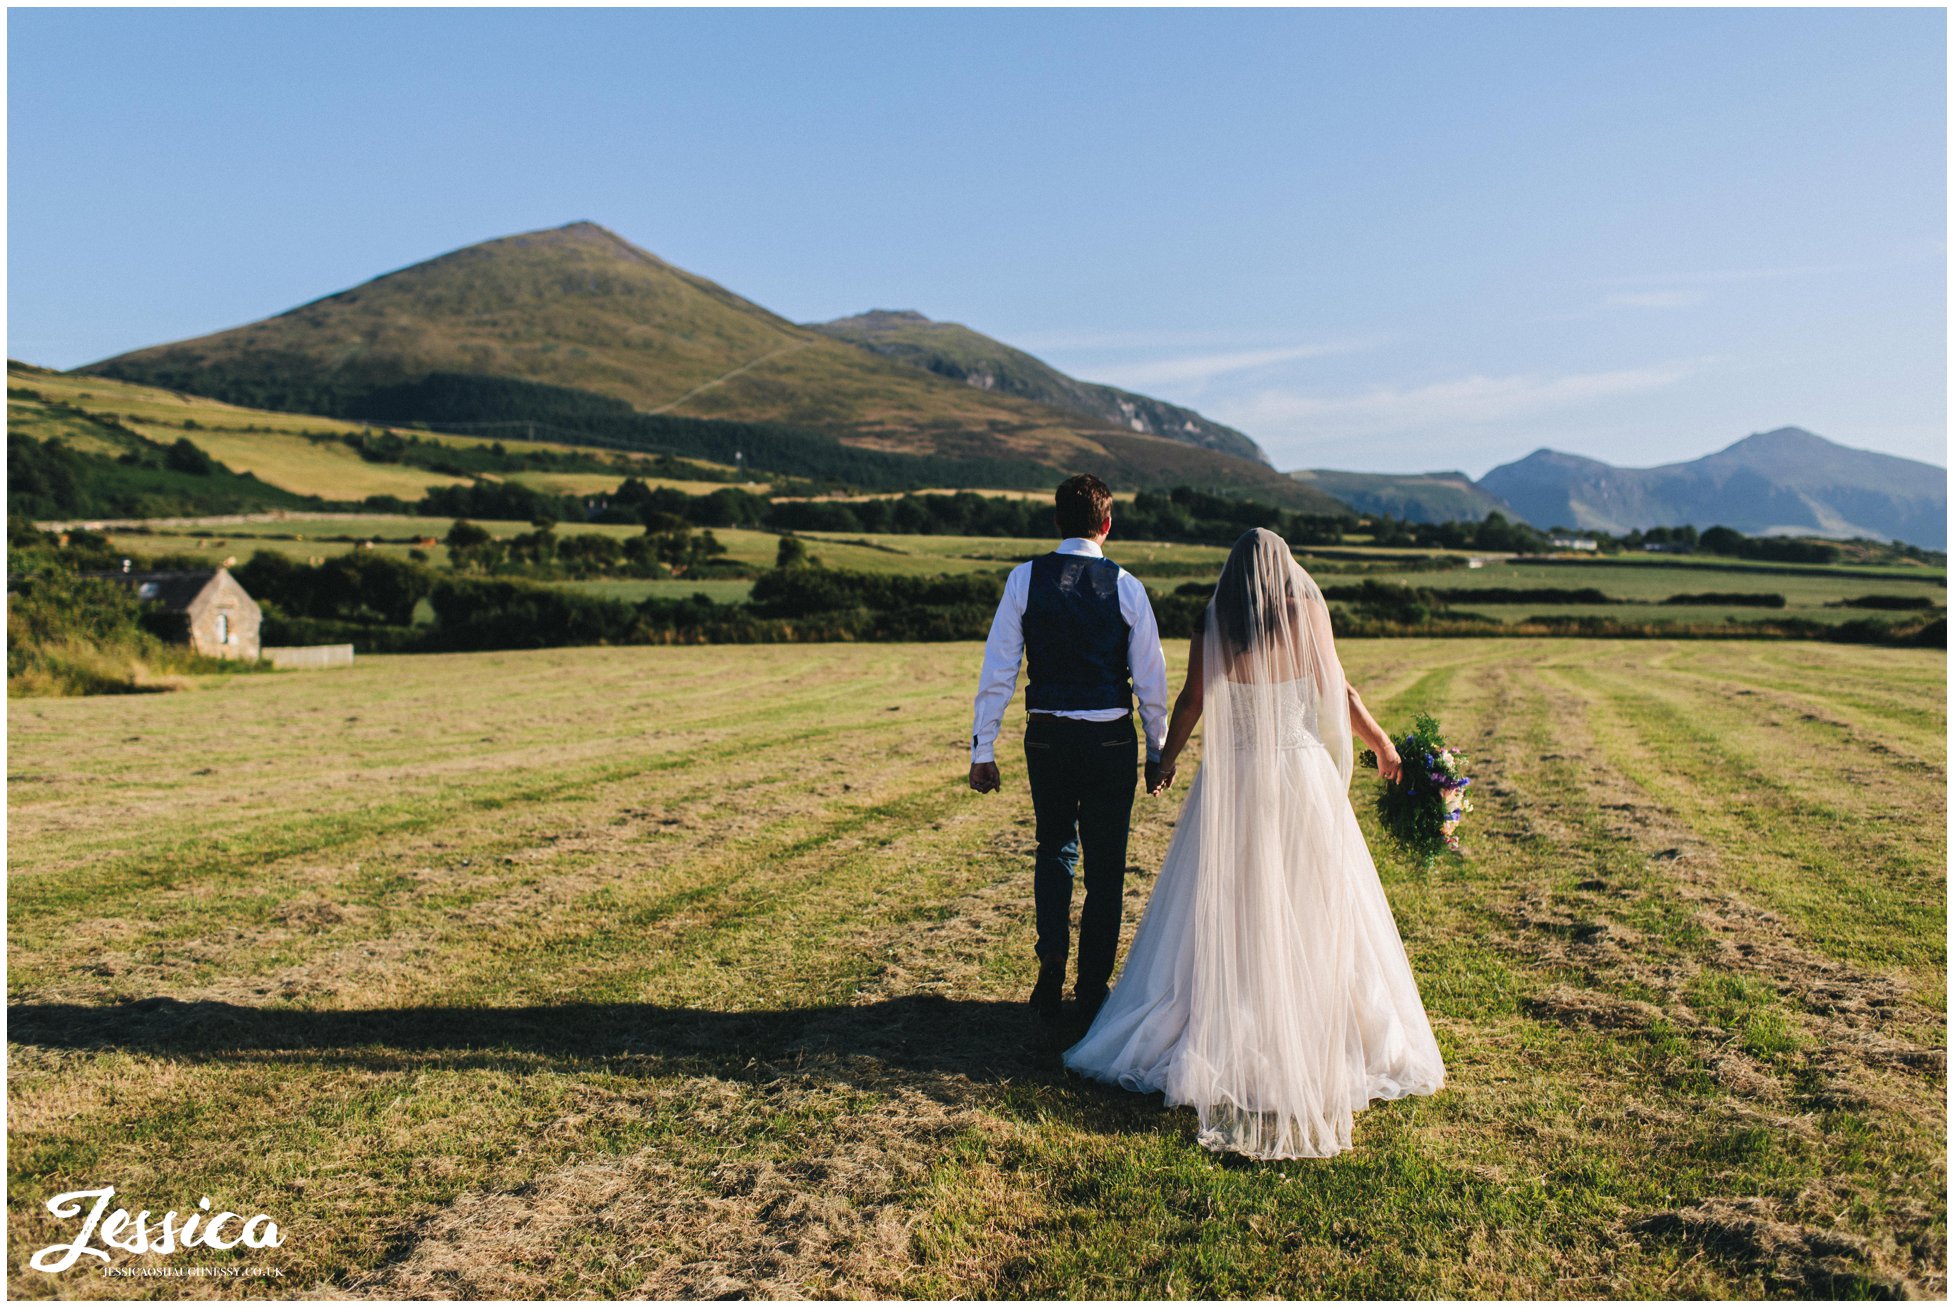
<point x="585" y="314"/>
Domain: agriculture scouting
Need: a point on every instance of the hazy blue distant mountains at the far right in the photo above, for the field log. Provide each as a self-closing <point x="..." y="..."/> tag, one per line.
<point x="1773" y="484"/>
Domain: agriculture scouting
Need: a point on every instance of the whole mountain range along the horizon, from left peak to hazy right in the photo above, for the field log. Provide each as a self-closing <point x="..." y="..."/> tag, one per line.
<point x="577" y="324"/>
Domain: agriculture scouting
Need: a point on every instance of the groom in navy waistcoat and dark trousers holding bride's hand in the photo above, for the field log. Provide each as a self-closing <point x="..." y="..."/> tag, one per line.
<point x="1087" y="631"/>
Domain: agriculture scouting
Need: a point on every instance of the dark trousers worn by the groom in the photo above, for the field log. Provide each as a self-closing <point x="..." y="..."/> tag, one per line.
<point x="1083" y="777"/>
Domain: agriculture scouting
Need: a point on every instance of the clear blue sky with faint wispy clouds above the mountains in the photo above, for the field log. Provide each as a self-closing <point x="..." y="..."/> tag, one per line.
<point x="1384" y="240"/>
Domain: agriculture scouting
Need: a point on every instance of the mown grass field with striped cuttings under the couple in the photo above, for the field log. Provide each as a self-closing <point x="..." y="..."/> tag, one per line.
<point x="695" y="973"/>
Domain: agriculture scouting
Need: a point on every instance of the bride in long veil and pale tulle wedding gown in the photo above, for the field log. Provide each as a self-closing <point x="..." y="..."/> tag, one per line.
<point x="1267" y="986"/>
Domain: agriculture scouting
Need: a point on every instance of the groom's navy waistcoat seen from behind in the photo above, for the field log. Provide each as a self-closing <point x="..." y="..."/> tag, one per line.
<point x="1076" y="636"/>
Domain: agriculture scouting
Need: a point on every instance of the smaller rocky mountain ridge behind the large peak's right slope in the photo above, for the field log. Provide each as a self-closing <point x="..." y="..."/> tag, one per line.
<point x="962" y="355"/>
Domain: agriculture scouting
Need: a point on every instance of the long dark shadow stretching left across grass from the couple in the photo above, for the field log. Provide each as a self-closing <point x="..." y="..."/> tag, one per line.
<point x="937" y="1045"/>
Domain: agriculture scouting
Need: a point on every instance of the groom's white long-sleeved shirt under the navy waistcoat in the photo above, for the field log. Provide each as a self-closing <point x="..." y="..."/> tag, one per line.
<point x="1005" y="650"/>
